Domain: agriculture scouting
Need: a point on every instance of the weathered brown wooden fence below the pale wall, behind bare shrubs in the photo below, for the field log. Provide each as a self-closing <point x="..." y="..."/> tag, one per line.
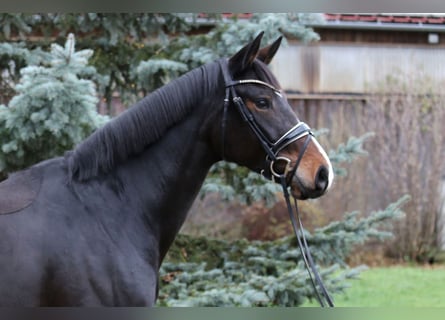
<point x="367" y="187"/>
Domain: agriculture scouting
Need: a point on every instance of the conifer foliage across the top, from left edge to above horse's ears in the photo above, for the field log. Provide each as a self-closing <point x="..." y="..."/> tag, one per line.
<point x="121" y="41"/>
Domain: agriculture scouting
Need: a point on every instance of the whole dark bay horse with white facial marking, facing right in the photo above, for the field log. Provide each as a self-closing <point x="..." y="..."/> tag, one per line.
<point x="92" y="228"/>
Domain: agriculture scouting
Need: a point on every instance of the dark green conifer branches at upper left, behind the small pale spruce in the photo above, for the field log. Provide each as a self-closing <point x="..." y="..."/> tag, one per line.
<point x="120" y="42"/>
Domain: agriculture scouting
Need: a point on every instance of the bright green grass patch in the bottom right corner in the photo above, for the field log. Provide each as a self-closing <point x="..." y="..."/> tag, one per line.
<point x="398" y="286"/>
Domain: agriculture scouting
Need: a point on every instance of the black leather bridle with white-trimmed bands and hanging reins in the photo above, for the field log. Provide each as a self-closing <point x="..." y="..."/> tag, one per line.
<point x="272" y="149"/>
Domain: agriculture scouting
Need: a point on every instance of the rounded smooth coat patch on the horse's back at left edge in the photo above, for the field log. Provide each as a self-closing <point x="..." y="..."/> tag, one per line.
<point x="19" y="190"/>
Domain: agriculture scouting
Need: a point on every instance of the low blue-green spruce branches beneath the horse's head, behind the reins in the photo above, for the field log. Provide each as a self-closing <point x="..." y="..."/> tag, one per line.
<point x="200" y="272"/>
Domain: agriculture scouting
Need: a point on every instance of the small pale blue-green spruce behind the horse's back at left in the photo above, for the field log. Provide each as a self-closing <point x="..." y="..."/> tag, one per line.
<point x="54" y="109"/>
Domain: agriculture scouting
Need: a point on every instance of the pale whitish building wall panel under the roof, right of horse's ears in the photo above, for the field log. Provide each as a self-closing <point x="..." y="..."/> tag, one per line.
<point x="352" y="67"/>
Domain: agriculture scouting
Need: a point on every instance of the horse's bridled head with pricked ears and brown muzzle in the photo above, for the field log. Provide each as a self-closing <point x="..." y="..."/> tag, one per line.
<point x="262" y="132"/>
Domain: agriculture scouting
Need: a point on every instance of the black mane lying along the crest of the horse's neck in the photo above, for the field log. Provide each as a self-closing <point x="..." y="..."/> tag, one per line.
<point x="142" y="124"/>
